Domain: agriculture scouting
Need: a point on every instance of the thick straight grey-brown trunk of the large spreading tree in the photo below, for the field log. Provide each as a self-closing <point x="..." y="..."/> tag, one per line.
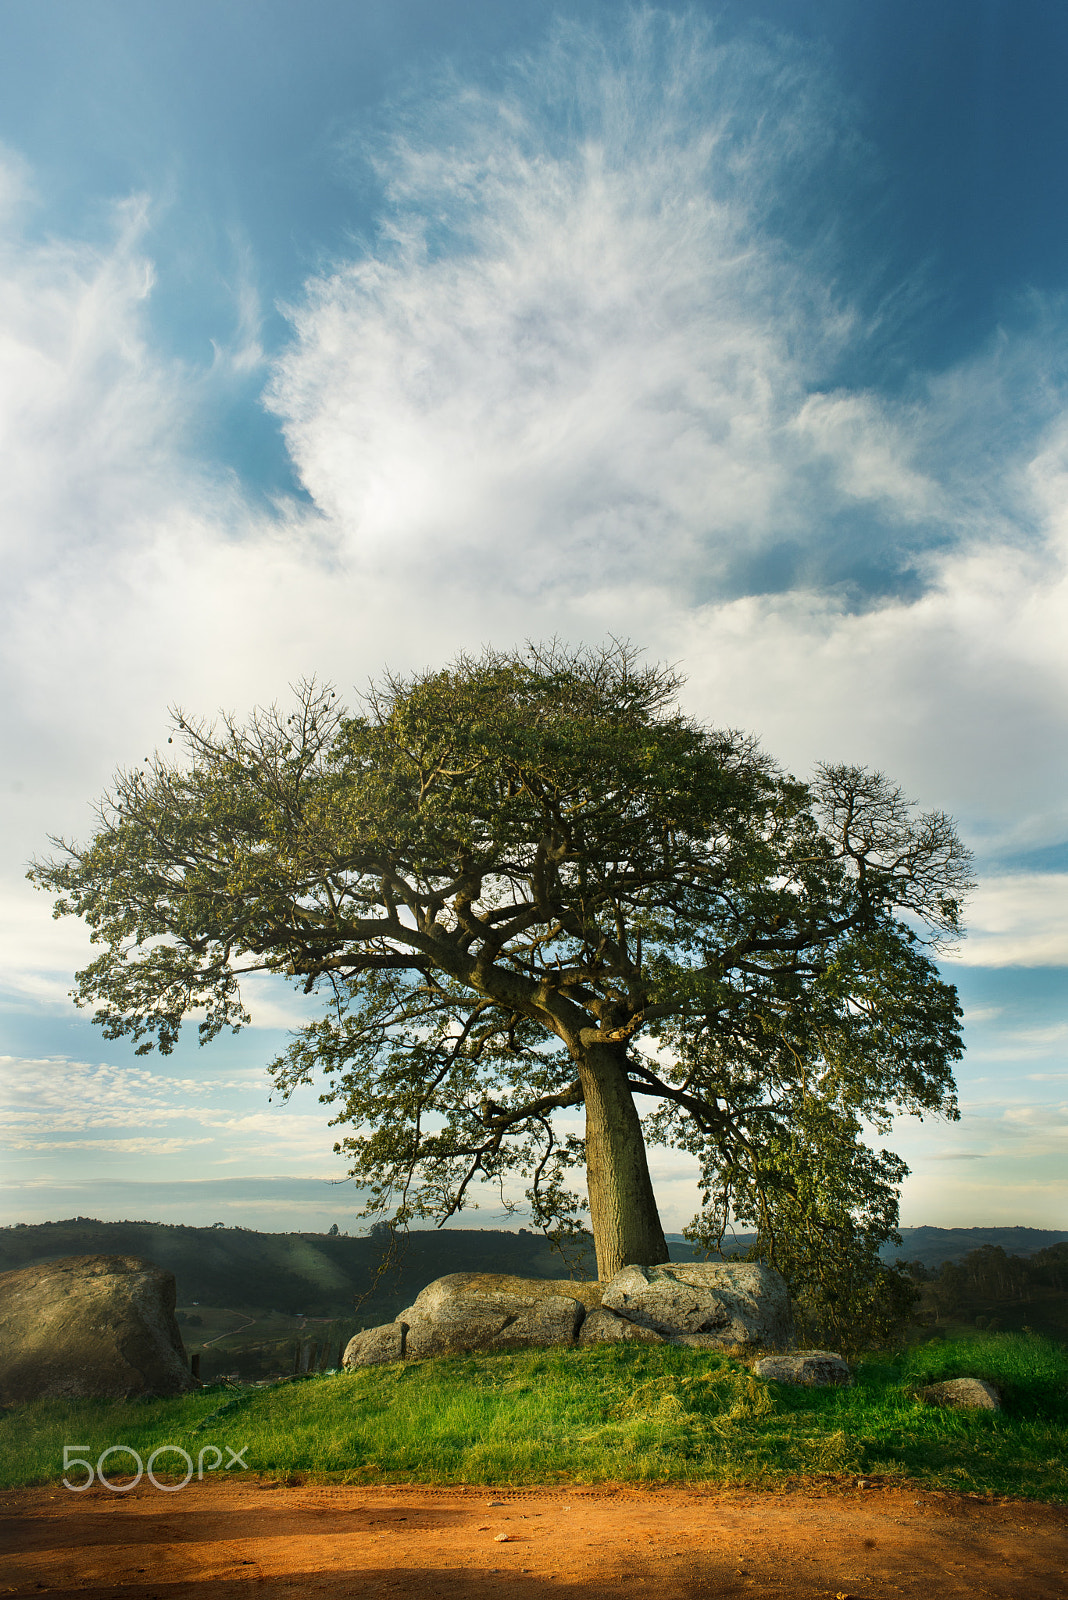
<point x="623" y="1207"/>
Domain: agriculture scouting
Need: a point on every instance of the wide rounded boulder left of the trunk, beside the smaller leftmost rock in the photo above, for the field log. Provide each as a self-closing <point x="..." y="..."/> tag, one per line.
<point x="490" y="1311"/>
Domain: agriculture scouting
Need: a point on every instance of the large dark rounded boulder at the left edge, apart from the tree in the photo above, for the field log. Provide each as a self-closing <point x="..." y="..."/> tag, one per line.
<point x="90" y="1326"/>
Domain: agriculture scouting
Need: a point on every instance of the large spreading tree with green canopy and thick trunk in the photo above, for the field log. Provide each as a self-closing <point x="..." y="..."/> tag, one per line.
<point x="530" y="884"/>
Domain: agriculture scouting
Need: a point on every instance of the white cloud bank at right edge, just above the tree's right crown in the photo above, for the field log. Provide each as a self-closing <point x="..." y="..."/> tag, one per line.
<point x="960" y="694"/>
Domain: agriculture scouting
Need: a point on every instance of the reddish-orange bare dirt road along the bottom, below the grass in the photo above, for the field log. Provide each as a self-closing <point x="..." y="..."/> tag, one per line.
<point x="236" y="1538"/>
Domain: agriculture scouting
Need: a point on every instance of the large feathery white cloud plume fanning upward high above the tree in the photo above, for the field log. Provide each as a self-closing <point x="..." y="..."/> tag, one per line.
<point x="580" y="358"/>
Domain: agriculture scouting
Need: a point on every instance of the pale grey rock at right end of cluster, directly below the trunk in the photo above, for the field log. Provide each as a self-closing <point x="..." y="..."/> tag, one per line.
<point x="727" y="1303"/>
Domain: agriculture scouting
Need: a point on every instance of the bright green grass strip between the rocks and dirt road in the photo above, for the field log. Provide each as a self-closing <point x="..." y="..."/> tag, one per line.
<point x="610" y="1414"/>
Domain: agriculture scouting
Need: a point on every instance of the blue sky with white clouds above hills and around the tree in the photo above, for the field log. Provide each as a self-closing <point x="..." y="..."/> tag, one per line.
<point x="349" y="335"/>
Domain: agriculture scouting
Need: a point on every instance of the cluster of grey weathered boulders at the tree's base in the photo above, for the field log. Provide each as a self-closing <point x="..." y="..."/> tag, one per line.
<point x="704" y="1306"/>
